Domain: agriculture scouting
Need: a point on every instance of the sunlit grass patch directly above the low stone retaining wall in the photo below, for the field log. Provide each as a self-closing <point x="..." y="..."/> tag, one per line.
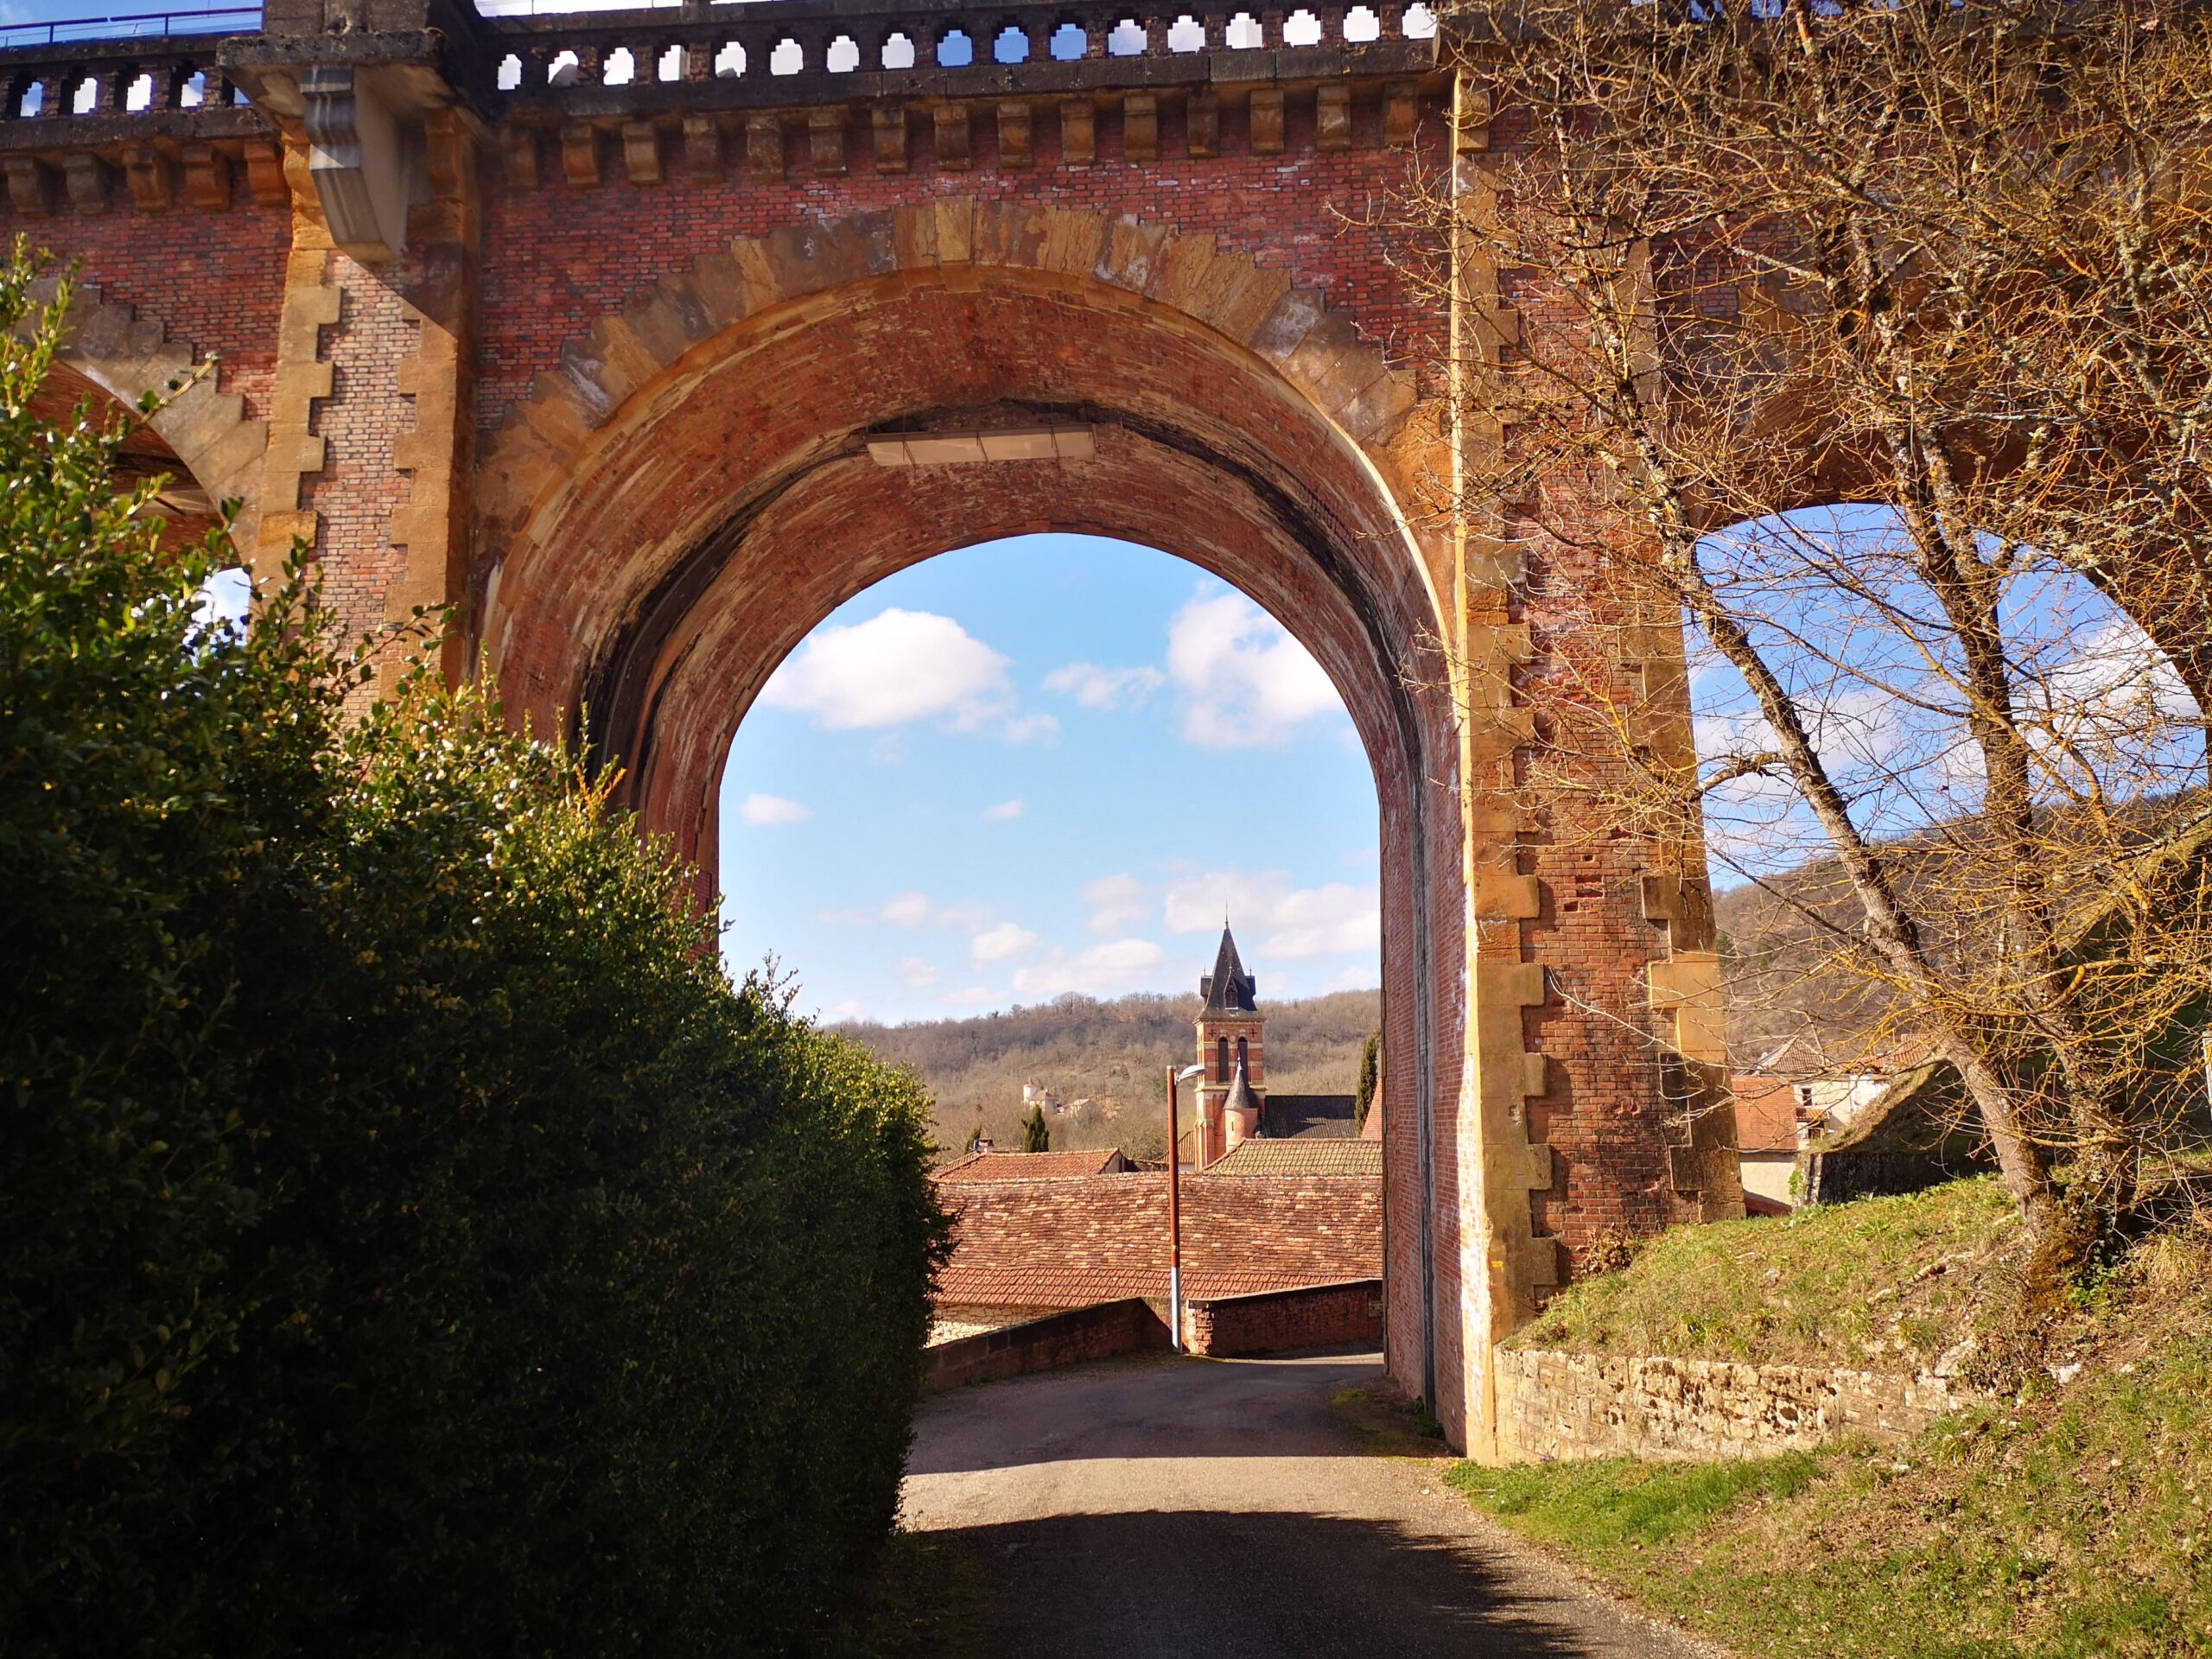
<point x="1881" y="1284"/>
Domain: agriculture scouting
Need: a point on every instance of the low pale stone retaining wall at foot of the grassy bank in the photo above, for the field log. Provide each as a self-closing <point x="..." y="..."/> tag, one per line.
<point x="1592" y="1406"/>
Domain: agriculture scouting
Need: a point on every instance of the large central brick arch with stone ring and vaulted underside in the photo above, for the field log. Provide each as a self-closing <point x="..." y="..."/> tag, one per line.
<point x="691" y="492"/>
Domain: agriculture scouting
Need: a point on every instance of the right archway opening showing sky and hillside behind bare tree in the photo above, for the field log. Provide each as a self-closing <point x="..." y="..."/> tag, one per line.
<point x="1957" y="811"/>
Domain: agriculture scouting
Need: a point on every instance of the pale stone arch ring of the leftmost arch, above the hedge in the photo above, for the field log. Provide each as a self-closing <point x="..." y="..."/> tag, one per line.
<point x="202" y="426"/>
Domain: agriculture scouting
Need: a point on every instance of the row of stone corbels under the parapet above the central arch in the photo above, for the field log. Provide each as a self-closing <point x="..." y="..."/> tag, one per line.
<point x="762" y="138"/>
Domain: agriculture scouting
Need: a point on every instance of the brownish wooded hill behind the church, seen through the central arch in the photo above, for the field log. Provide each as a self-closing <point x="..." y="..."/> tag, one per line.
<point x="1112" y="1056"/>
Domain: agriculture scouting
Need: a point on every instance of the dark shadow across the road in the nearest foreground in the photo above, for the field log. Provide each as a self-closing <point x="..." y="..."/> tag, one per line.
<point x="1273" y="1587"/>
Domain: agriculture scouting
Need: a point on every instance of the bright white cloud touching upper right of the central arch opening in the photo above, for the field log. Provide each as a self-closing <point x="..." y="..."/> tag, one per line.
<point x="1244" y="680"/>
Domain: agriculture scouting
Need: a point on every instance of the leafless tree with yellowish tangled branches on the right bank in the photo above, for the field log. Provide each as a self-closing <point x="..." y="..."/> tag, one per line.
<point x="1943" y="264"/>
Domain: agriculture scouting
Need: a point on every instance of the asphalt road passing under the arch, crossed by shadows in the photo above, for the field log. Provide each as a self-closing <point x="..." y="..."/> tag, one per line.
<point x="1222" y="1510"/>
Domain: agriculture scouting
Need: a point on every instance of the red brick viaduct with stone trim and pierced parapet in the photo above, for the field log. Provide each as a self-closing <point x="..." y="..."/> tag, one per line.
<point x="601" y="328"/>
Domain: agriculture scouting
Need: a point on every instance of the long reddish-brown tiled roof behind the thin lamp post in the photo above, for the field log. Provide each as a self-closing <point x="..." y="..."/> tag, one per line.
<point x="1067" y="1244"/>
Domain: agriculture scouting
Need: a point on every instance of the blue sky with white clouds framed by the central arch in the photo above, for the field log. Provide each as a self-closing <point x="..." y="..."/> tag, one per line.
<point x="1045" y="766"/>
